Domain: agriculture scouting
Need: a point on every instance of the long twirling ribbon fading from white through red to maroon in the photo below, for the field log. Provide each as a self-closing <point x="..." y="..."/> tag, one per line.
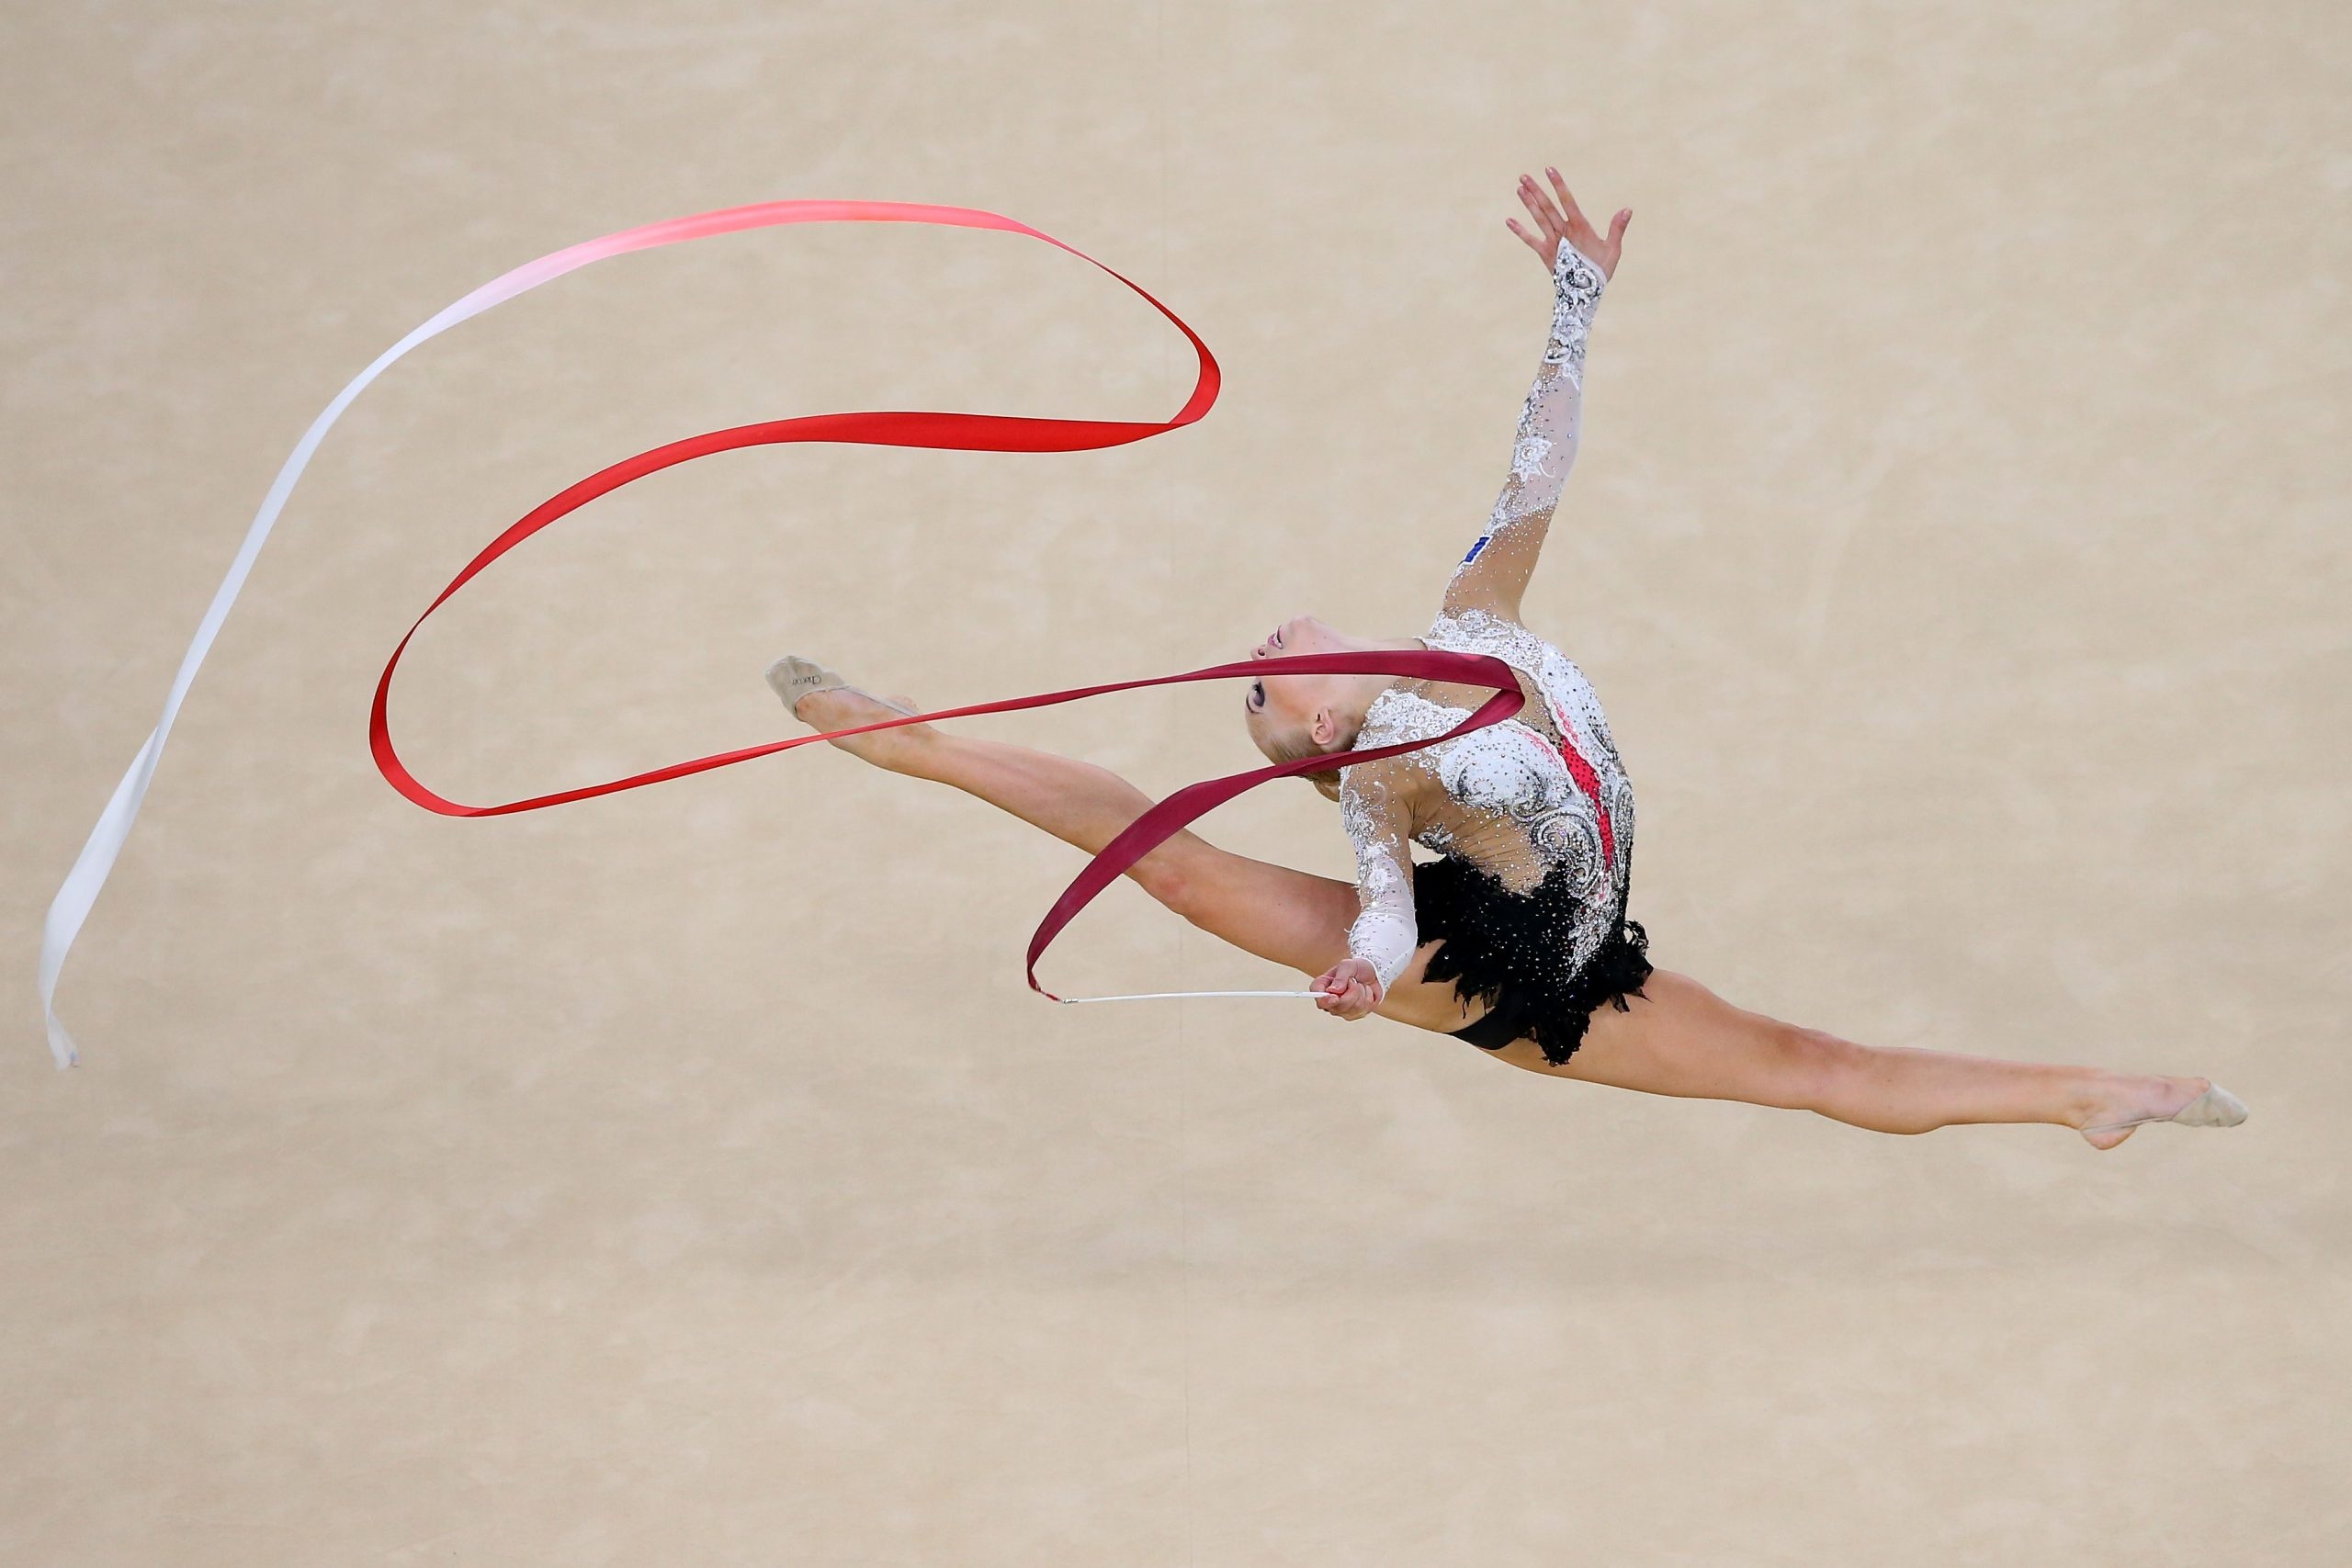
<point x="883" y="429"/>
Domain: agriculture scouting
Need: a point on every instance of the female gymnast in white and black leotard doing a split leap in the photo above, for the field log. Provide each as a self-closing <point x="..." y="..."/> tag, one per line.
<point x="1516" y="934"/>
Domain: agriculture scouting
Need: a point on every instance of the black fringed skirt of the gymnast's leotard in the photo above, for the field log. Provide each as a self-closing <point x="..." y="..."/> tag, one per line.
<point x="1514" y="953"/>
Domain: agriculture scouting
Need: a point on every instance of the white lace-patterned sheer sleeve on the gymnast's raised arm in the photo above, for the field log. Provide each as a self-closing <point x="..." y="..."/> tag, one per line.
<point x="1544" y="450"/>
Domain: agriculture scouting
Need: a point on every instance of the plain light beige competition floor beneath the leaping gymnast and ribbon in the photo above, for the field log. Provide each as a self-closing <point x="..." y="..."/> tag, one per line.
<point x="688" y="1179"/>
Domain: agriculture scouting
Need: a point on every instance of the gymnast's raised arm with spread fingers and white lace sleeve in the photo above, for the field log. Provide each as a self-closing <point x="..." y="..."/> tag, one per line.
<point x="1495" y="575"/>
